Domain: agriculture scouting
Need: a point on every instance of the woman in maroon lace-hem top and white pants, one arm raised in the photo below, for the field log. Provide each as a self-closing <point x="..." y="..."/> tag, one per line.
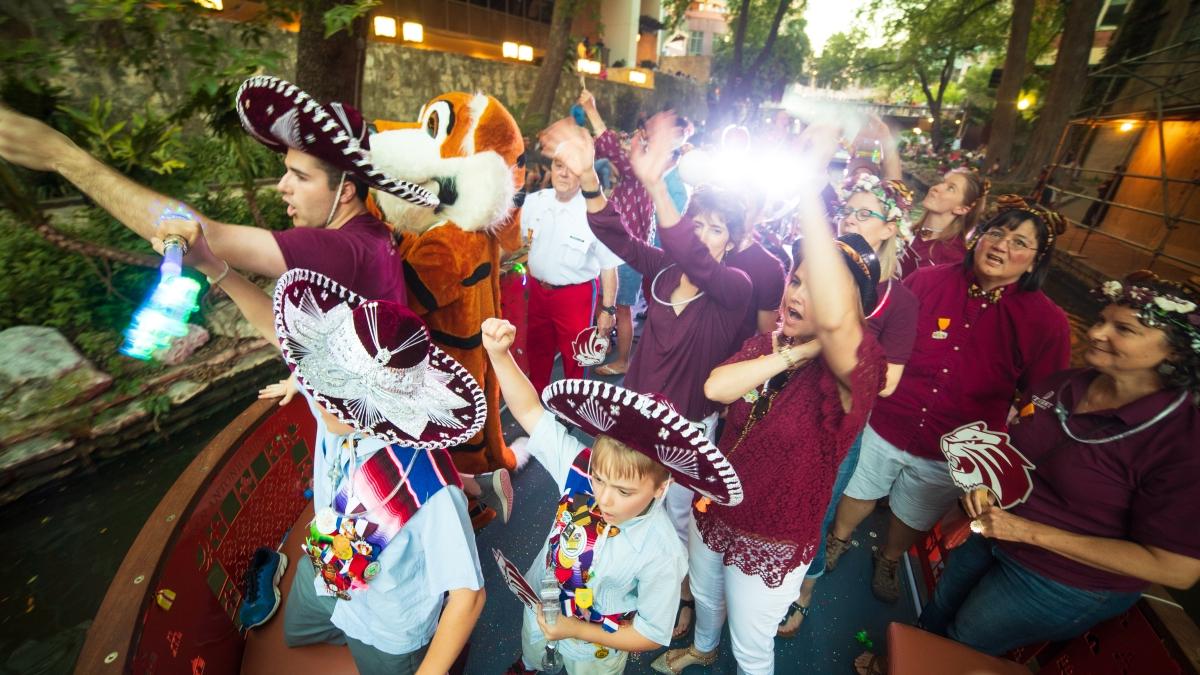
<point x="791" y="420"/>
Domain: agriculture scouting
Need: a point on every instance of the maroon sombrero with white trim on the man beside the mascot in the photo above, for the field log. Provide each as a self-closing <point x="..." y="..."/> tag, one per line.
<point x="280" y="116"/>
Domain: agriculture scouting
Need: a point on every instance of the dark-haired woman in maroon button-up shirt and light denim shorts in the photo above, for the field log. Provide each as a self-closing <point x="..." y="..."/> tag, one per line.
<point x="985" y="333"/>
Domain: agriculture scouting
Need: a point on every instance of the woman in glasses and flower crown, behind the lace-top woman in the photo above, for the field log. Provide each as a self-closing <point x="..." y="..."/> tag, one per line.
<point x="879" y="212"/>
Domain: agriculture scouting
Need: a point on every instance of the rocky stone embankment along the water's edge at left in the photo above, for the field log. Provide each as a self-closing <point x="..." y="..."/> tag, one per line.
<point x="61" y="415"/>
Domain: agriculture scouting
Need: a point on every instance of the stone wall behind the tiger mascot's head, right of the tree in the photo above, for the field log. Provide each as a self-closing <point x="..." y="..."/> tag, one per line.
<point x="399" y="81"/>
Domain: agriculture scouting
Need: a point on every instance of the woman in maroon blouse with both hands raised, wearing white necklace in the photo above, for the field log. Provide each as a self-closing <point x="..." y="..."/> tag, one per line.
<point x="698" y="304"/>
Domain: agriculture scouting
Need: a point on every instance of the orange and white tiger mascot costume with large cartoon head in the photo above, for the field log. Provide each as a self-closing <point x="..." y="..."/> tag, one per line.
<point x="467" y="150"/>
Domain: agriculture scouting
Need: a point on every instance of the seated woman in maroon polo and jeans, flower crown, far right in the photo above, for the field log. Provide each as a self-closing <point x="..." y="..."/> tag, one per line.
<point x="1114" y="501"/>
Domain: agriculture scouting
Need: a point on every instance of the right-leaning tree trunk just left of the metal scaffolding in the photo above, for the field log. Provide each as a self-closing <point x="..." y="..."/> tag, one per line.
<point x="1067" y="83"/>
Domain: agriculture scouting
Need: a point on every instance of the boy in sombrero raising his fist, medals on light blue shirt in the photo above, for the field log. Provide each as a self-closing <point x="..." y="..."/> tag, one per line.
<point x="613" y="549"/>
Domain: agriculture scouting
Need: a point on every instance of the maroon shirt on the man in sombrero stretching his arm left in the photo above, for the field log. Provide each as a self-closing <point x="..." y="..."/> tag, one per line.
<point x="359" y="255"/>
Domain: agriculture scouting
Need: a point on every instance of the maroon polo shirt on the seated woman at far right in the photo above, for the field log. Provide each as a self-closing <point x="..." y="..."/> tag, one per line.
<point x="1142" y="488"/>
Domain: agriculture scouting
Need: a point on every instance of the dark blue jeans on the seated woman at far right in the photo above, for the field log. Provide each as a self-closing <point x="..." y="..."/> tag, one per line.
<point x="989" y="602"/>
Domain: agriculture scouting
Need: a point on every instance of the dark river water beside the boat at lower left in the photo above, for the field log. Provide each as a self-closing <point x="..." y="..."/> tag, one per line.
<point x="67" y="543"/>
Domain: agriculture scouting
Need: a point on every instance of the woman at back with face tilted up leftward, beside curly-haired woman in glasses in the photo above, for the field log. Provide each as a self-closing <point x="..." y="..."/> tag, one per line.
<point x="953" y="207"/>
